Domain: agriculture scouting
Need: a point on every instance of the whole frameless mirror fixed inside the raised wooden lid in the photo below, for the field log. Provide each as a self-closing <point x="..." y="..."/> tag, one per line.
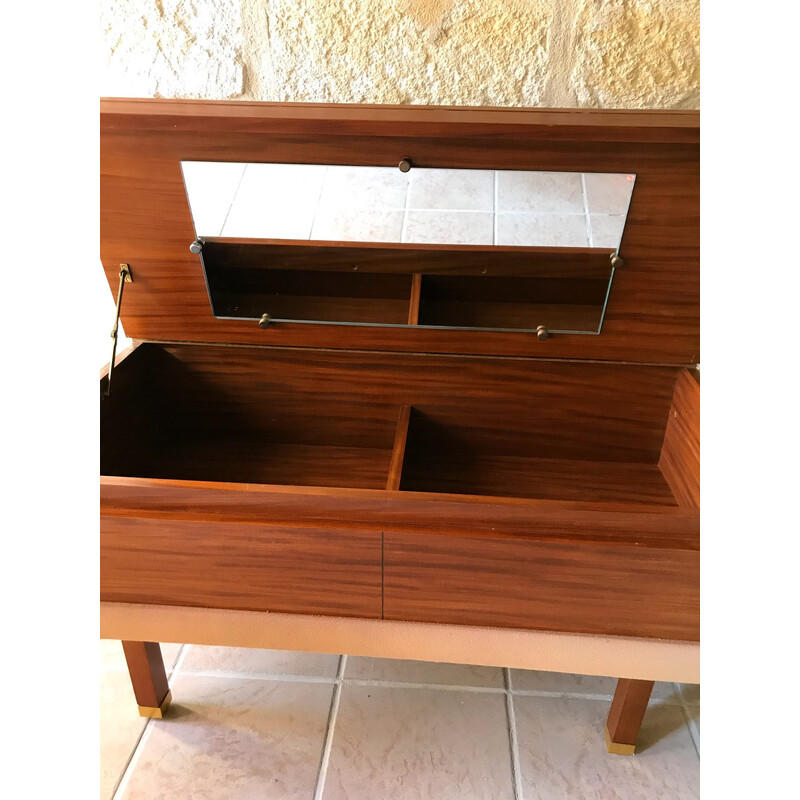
<point x="441" y="248"/>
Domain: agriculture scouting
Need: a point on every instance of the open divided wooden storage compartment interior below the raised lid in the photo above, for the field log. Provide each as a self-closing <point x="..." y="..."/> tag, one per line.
<point x="450" y="425"/>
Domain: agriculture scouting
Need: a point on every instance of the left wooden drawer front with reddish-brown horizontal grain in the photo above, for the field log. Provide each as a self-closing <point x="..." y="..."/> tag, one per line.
<point x="240" y="566"/>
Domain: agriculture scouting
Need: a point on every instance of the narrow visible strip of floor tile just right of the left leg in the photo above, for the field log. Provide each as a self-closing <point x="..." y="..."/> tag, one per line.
<point x="266" y="662"/>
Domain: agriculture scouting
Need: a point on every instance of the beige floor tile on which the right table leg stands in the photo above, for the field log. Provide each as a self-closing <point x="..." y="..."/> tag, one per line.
<point x="563" y="754"/>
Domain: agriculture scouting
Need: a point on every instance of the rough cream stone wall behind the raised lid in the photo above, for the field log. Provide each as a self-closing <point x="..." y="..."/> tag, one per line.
<point x="557" y="53"/>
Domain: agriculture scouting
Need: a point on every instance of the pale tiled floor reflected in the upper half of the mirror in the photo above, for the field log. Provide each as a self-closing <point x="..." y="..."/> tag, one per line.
<point x="382" y="204"/>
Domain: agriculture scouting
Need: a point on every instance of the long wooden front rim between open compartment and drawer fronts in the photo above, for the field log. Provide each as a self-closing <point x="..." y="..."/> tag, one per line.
<point x="666" y="527"/>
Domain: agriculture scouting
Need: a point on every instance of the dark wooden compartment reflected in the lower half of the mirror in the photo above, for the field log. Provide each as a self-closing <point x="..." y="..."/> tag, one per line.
<point x="495" y="288"/>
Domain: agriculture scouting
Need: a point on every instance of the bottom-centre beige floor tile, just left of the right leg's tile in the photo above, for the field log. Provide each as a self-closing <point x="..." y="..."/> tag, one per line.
<point x="399" y="744"/>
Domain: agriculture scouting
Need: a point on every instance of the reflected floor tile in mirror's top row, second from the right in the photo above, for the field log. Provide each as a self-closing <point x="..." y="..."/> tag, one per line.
<point x="540" y="192"/>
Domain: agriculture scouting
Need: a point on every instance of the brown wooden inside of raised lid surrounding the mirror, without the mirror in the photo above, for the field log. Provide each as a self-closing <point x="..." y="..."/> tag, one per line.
<point x="653" y="311"/>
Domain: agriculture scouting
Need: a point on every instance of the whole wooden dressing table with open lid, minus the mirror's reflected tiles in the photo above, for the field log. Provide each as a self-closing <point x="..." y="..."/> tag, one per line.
<point x="403" y="450"/>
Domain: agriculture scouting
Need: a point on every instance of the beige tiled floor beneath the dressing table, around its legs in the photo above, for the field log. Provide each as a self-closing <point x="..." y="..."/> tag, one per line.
<point x="270" y="724"/>
